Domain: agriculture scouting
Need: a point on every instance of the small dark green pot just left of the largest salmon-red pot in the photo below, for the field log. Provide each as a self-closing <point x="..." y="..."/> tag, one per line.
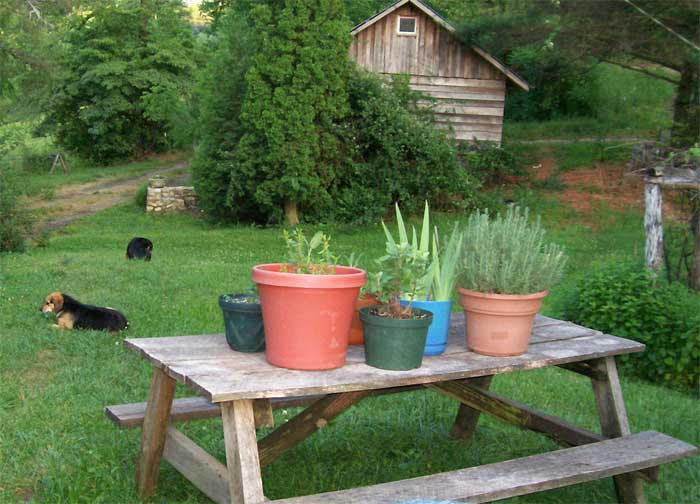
<point x="243" y="322"/>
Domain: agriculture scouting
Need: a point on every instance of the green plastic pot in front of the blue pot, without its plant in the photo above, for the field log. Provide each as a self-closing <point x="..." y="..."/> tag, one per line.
<point x="395" y="344"/>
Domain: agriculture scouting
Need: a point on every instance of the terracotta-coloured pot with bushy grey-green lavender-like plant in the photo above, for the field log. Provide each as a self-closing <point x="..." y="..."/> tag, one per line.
<point x="505" y="271"/>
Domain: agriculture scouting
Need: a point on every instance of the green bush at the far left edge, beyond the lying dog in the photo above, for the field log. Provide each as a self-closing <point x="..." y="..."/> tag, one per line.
<point x="15" y="222"/>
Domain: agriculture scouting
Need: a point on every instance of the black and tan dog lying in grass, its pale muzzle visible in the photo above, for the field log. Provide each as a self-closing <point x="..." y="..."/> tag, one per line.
<point x="72" y="314"/>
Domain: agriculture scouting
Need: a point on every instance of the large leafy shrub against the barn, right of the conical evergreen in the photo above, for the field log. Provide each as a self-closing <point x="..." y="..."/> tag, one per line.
<point x="396" y="156"/>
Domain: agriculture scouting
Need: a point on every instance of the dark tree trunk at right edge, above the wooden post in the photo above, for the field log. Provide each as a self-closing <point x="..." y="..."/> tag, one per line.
<point x="686" y="108"/>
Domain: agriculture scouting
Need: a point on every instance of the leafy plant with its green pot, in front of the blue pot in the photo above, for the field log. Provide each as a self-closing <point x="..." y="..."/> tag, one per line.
<point x="395" y="333"/>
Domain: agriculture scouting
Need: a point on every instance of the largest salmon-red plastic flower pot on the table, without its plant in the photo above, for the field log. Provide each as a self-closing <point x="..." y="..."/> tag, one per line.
<point x="307" y="317"/>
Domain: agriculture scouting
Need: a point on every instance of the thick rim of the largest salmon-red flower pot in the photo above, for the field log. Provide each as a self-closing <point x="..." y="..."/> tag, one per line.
<point x="344" y="277"/>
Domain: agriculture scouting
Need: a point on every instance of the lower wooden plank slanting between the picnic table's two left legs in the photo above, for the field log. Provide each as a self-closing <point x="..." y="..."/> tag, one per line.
<point x="203" y="470"/>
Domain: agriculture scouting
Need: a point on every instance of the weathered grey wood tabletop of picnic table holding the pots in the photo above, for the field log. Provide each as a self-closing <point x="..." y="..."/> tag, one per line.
<point x="209" y="366"/>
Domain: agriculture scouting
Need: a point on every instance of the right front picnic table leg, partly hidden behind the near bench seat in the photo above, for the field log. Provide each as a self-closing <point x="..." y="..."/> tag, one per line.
<point x="614" y="423"/>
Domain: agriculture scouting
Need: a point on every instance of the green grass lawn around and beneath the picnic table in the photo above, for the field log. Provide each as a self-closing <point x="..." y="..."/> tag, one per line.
<point x="56" y="445"/>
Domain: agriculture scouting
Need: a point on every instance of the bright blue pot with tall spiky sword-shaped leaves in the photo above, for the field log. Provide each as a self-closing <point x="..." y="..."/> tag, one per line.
<point x="437" y="286"/>
